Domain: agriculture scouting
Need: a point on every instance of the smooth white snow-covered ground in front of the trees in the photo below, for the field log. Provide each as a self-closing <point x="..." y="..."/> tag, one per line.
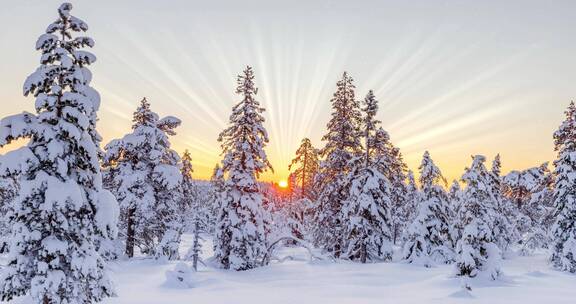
<point x="527" y="280"/>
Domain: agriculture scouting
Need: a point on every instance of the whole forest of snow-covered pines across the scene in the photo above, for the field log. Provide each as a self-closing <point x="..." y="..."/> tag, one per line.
<point x="73" y="208"/>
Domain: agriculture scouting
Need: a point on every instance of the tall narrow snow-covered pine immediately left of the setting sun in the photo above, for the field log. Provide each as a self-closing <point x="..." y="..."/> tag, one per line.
<point x="240" y="240"/>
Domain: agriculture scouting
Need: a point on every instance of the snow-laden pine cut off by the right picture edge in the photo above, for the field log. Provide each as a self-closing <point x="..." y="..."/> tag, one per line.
<point x="564" y="231"/>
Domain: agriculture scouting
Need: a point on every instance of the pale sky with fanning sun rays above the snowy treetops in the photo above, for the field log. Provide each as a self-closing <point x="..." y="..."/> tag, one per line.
<point x="456" y="78"/>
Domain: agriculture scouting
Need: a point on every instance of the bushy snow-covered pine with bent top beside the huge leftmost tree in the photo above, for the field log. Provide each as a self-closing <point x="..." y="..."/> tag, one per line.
<point x="145" y="174"/>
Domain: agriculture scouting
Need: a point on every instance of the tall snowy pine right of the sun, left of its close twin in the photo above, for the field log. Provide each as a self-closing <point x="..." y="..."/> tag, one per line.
<point x="342" y="146"/>
